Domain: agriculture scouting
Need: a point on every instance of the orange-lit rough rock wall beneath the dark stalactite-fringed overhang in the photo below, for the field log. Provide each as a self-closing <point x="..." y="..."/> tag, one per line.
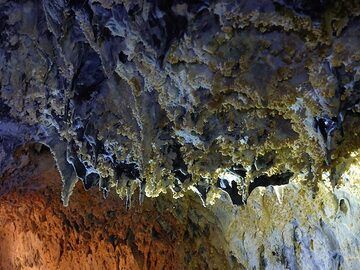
<point x="37" y="232"/>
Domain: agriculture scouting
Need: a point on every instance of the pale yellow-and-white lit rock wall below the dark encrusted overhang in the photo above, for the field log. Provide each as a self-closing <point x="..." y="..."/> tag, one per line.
<point x="287" y="228"/>
